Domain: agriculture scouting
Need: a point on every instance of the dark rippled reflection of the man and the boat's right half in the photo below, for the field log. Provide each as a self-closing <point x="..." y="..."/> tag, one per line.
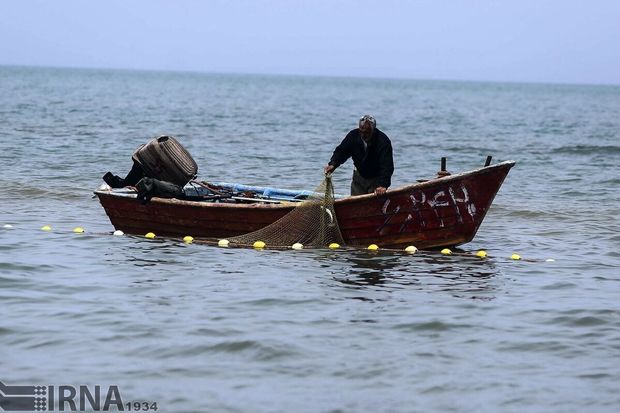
<point x="462" y="276"/>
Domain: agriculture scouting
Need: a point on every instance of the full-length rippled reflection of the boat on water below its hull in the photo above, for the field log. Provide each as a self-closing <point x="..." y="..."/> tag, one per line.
<point x="461" y="276"/>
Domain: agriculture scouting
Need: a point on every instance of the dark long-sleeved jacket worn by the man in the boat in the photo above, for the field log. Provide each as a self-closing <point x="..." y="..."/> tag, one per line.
<point x="375" y="162"/>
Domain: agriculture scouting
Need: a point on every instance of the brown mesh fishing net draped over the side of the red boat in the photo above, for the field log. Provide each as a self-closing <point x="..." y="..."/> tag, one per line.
<point x="311" y="223"/>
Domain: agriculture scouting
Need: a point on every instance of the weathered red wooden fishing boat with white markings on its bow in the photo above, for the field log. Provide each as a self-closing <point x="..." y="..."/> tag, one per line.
<point x="439" y="212"/>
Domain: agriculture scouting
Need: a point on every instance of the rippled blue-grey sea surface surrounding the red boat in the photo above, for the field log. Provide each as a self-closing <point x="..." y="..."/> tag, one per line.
<point x="197" y="328"/>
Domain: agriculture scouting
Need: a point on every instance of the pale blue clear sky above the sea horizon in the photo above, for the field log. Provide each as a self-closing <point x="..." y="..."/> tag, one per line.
<point x="556" y="41"/>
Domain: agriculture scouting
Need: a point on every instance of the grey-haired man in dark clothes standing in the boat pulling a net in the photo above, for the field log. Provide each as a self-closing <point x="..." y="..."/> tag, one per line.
<point x="371" y="151"/>
